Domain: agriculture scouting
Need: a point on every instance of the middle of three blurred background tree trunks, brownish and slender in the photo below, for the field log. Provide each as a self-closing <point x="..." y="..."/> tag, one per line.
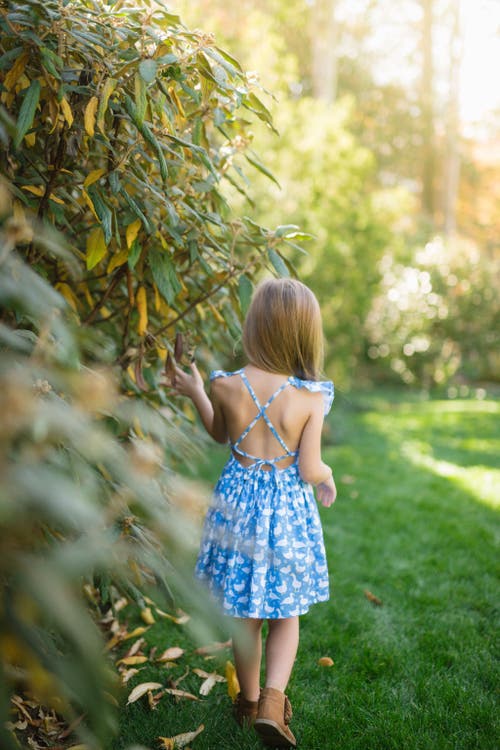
<point x="429" y="157"/>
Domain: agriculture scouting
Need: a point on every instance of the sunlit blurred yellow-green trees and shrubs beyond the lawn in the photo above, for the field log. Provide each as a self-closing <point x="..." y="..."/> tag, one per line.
<point x="389" y="155"/>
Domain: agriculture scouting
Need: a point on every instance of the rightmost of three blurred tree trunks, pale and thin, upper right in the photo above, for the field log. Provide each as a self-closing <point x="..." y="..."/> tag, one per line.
<point x="452" y="167"/>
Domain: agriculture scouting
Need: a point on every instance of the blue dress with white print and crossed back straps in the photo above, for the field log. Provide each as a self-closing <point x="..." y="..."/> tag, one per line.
<point x="262" y="553"/>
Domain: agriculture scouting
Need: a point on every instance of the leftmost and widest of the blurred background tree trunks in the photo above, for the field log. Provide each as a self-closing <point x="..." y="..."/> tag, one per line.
<point x="324" y="50"/>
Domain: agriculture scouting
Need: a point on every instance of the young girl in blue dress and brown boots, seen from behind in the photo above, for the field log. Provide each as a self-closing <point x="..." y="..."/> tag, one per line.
<point x="262" y="553"/>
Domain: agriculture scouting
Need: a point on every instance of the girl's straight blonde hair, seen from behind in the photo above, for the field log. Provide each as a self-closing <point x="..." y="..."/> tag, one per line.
<point x="283" y="331"/>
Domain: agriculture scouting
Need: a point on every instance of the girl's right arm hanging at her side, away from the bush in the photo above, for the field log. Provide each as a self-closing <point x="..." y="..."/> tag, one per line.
<point x="312" y="469"/>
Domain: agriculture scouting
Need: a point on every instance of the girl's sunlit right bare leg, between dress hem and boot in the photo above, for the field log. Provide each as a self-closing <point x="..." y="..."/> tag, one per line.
<point x="281" y="650"/>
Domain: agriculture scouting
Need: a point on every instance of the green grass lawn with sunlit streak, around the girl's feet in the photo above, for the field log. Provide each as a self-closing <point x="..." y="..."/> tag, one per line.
<point x="415" y="524"/>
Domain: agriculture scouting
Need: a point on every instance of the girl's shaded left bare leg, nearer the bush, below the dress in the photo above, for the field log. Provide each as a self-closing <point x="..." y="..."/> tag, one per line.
<point x="247" y="649"/>
